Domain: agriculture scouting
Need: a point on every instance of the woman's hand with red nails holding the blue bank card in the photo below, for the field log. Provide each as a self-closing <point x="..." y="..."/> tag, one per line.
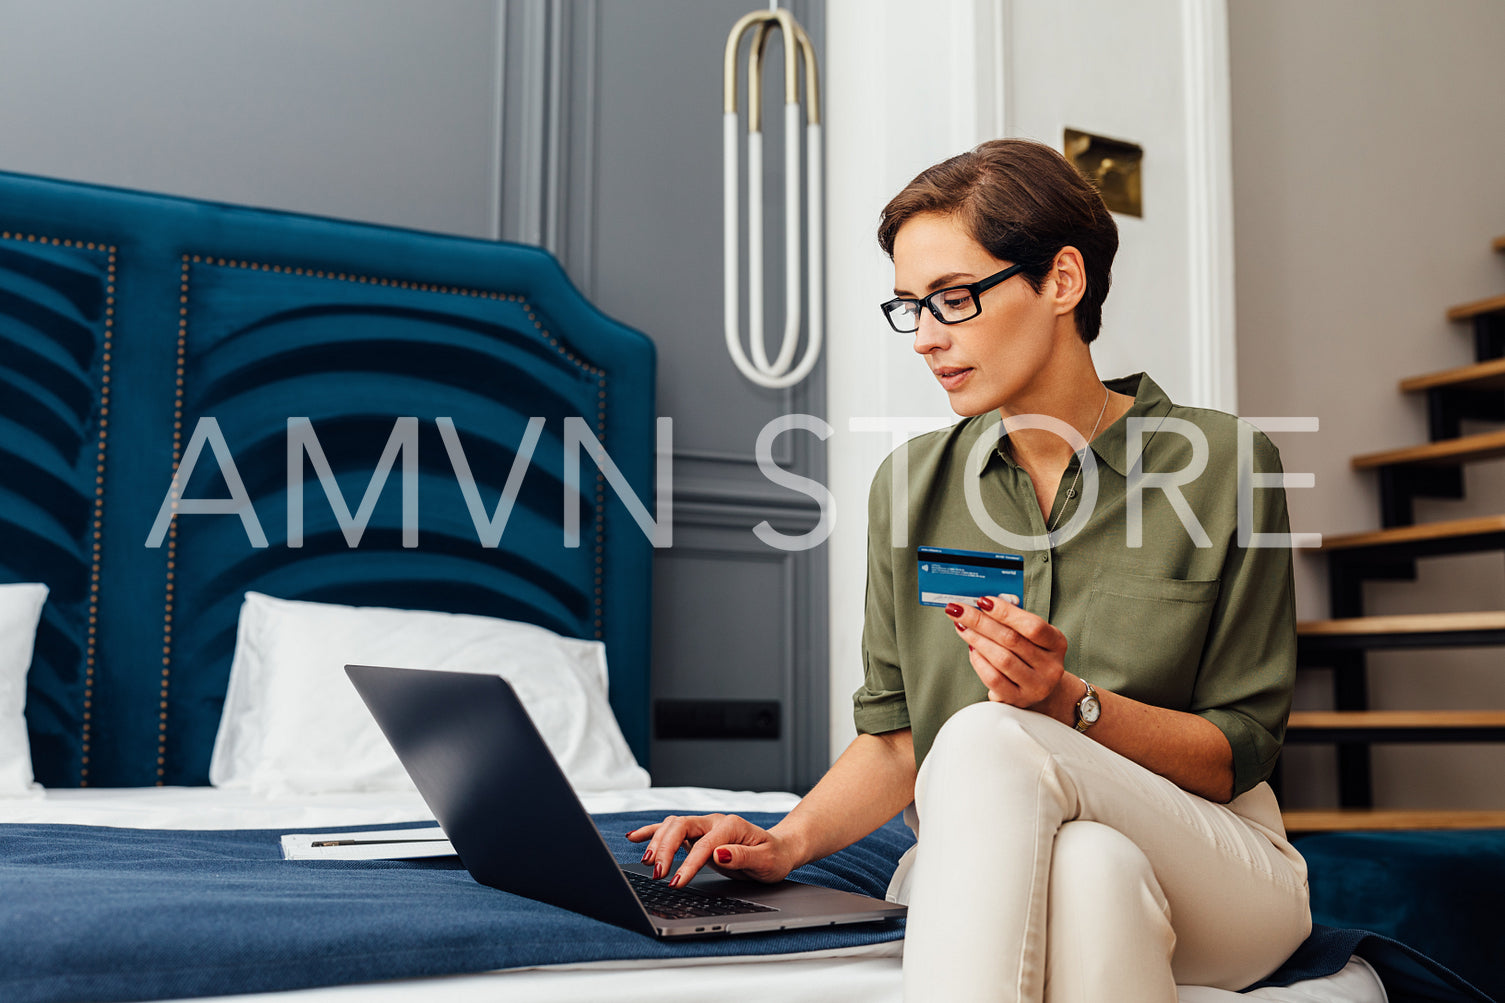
<point x="1018" y="656"/>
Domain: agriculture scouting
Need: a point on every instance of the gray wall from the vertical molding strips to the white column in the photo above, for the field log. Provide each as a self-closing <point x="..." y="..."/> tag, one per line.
<point x="609" y="130"/>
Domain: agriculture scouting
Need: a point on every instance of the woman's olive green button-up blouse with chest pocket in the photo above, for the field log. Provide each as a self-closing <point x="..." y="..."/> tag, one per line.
<point x="1188" y="617"/>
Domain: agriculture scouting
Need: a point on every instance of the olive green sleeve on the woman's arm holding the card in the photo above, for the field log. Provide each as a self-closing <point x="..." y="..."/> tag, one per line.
<point x="1248" y="666"/>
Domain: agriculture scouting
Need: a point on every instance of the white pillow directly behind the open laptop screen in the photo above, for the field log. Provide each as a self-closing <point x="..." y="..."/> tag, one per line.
<point x="293" y="724"/>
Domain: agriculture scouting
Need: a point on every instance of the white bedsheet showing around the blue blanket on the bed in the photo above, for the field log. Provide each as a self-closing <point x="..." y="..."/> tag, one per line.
<point x="865" y="975"/>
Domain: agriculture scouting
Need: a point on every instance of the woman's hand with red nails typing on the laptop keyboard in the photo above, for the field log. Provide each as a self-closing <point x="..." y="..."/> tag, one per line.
<point x="728" y="843"/>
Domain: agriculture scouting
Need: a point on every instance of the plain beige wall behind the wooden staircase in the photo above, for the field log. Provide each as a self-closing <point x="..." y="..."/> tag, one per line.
<point x="1369" y="141"/>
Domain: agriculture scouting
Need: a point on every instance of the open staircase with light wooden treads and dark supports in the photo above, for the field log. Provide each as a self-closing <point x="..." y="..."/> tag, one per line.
<point x="1435" y="471"/>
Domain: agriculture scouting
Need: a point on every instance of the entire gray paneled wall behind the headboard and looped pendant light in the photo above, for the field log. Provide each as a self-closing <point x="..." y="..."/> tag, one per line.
<point x="591" y="127"/>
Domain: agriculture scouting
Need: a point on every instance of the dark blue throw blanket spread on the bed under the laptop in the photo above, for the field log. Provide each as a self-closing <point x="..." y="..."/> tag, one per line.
<point x="91" y="913"/>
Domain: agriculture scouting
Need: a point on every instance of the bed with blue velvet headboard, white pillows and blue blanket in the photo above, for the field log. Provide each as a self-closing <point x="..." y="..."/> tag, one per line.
<point x="171" y="645"/>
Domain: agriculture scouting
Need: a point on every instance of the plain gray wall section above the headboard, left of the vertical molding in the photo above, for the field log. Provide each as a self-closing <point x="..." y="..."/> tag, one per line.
<point x="375" y="111"/>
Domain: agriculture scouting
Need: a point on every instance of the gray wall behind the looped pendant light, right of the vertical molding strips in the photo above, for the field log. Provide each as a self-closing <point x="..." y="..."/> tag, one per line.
<point x="734" y="618"/>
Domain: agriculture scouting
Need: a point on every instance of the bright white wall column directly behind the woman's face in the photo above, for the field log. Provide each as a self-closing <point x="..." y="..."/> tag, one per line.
<point x="893" y="109"/>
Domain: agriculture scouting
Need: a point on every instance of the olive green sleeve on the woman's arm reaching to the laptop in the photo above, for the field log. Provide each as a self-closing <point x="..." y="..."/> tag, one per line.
<point x="880" y="706"/>
